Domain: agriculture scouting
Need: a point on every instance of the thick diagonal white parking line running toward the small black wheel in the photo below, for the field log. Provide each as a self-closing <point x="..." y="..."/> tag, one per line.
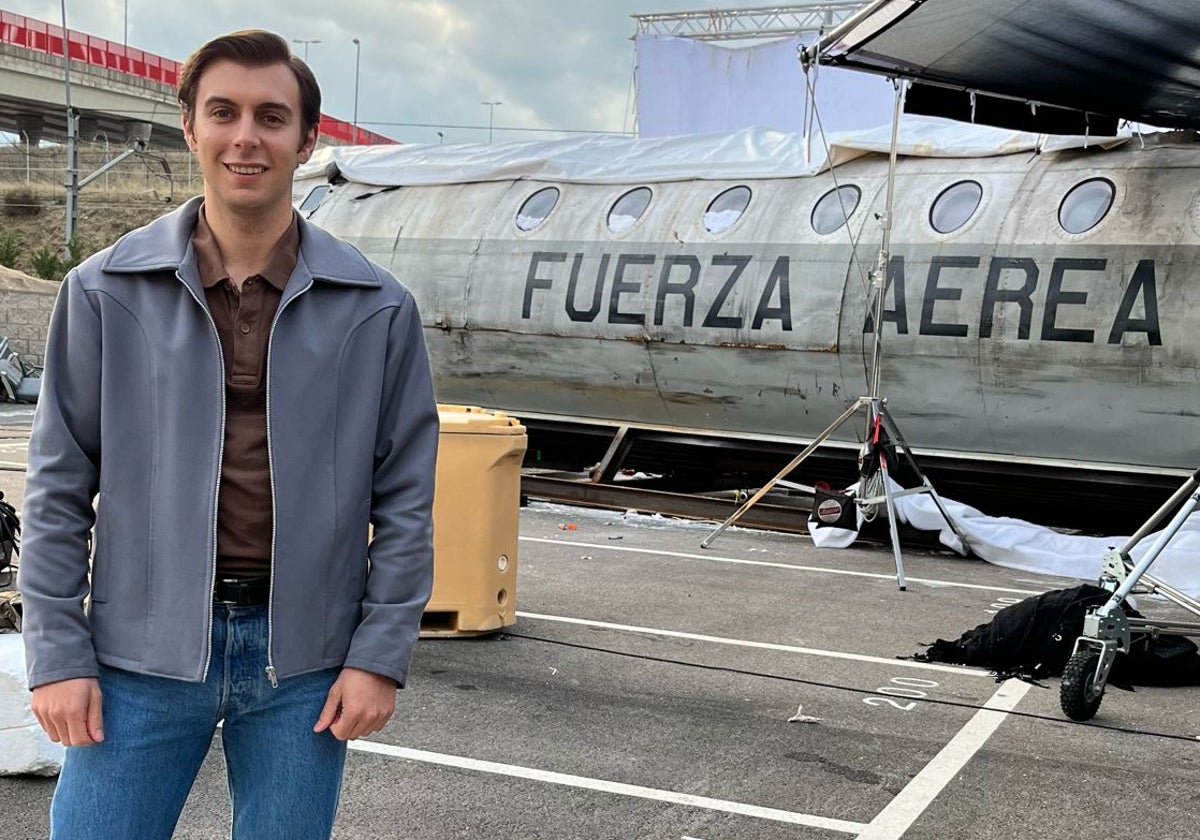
<point x="899" y="815"/>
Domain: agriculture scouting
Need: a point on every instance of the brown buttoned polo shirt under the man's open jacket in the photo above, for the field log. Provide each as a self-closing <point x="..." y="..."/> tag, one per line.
<point x="244" y="322"/>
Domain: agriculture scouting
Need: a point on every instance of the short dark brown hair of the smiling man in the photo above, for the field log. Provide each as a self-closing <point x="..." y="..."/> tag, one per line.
<point x="250" y="49"/>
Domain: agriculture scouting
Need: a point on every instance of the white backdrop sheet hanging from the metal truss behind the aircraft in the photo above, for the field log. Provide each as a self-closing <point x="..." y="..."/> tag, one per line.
<point x="688" y="87"/>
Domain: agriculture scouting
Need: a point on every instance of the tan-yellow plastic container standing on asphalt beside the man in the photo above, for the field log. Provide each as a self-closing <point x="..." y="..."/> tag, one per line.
<point x="476" y="511"/>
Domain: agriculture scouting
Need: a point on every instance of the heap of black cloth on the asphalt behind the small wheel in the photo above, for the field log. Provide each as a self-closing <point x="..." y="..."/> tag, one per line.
<point x="1036" y="638"/>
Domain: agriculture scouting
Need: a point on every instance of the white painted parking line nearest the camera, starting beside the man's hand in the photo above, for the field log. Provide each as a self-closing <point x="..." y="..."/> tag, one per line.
<point x="604" y="787"/>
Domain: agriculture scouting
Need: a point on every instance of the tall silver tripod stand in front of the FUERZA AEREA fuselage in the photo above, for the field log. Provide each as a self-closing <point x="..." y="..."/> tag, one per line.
<point x="880" y="424"/>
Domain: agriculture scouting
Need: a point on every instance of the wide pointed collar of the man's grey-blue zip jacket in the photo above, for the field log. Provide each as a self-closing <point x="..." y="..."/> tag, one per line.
<point x="166" y="245"/>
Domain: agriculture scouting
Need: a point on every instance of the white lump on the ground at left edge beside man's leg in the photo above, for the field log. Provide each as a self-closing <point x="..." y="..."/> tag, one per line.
<point x="25" y="747"/>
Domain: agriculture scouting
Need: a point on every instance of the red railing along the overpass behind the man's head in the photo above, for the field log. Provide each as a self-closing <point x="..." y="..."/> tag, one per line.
<point x="45" y="38"/>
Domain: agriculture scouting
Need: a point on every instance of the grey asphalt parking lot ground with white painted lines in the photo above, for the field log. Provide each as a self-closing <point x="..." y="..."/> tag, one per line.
<point x="650" y="689"/>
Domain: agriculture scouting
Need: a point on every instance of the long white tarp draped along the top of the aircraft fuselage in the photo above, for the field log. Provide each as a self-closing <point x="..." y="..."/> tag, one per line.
<point x="752" y="154"/>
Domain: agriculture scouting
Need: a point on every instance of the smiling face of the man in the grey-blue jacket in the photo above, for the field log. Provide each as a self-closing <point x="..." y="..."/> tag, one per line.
<point x="247" y="136"/>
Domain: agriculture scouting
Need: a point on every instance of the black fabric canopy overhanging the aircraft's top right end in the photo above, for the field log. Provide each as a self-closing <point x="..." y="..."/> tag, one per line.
<point x="1054" y="67"/>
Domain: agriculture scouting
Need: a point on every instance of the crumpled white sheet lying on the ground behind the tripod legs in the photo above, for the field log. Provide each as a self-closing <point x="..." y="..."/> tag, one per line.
<point x="1017" y="544"/>
